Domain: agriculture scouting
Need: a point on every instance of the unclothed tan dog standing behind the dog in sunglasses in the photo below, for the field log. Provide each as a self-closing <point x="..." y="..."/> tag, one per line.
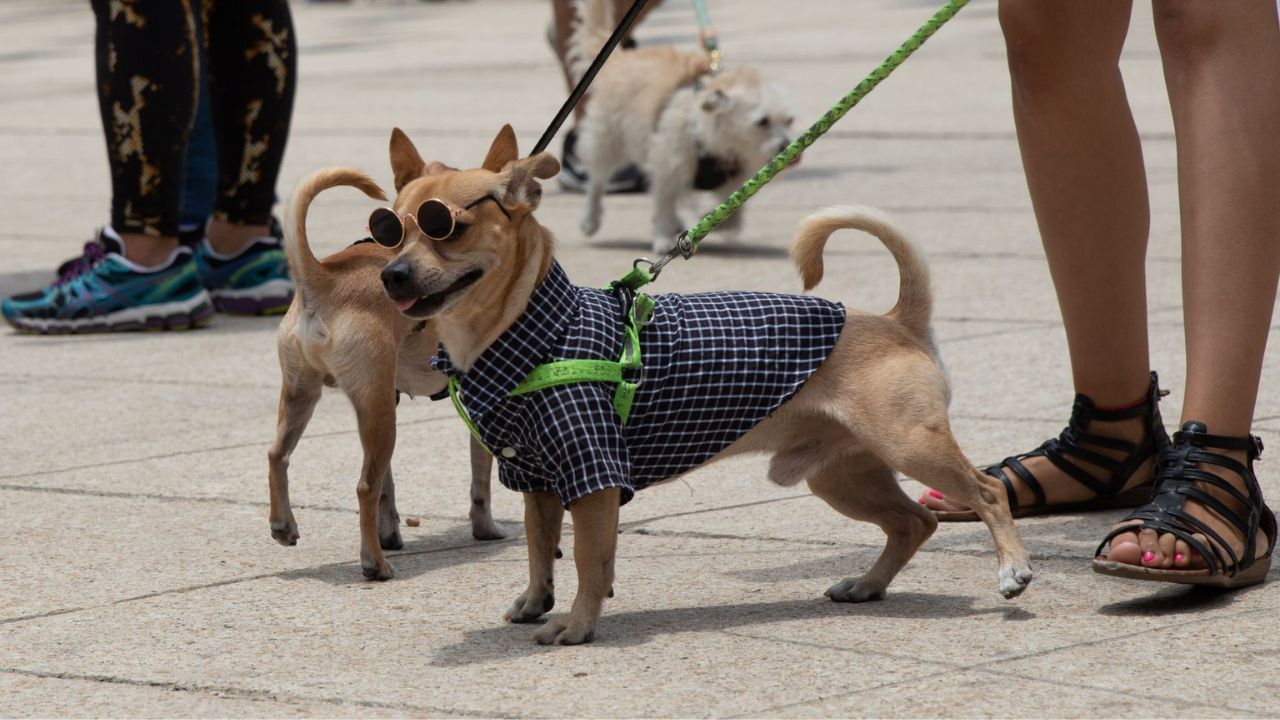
<point x="342" y="332"/>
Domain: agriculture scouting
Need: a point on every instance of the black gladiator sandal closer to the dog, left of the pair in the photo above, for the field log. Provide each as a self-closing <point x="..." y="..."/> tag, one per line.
<point x="1073" y="445"/>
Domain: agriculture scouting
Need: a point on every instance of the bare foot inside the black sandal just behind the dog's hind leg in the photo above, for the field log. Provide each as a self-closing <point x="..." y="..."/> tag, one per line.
<point x="1059" y="486"/>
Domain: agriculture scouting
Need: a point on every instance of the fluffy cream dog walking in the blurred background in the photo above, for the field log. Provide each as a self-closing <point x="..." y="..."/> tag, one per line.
<point x="665" y="111"/>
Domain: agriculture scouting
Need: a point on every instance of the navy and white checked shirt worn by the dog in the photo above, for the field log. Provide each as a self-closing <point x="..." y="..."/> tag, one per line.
<point x="715" y="366"/>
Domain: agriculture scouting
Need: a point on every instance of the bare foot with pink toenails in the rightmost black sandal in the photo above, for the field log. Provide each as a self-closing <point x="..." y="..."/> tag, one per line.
<point x="1146" y="548"/>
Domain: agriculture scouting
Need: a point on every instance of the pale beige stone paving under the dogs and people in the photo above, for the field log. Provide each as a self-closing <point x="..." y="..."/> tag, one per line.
<point x="140" y="576"/>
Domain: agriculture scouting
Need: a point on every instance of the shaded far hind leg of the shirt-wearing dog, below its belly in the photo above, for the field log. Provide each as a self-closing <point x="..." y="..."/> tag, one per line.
<point x="870" y="493"/>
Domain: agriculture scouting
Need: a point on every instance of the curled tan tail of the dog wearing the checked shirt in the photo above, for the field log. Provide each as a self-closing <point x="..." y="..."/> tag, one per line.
<point x="915" y="295"/>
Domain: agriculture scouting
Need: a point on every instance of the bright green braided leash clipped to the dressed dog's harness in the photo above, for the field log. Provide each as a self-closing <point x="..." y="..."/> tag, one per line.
<point x="688" y="241"/>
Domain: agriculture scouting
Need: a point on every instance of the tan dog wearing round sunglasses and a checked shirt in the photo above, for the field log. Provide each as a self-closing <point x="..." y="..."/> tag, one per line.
<point x="876" y="404"/>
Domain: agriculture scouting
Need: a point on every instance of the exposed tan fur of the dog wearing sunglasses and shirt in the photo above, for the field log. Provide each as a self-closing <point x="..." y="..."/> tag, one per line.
<point x="879" y="404"/>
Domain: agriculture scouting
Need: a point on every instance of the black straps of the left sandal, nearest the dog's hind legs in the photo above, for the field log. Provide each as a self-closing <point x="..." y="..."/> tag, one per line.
<point x="1069" y="450"/>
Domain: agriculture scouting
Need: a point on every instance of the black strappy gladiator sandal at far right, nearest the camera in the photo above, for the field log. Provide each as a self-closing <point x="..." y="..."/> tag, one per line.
<point x="1177" y="480"/>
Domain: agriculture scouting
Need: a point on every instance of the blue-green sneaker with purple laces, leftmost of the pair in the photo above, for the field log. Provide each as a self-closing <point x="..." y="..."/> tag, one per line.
<point x="102" y="291"/>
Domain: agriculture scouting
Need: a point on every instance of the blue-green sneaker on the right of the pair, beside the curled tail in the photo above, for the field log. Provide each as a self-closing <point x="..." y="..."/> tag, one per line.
<point x="253" y="282"/>
